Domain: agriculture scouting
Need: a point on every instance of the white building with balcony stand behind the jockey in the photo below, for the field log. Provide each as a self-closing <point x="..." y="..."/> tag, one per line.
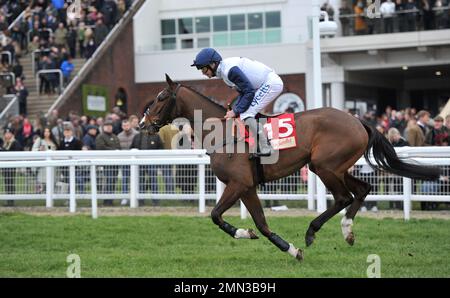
<point x="365" y="71"/>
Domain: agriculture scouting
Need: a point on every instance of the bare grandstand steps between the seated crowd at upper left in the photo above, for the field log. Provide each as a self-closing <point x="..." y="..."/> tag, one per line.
<point x="41" y="102"/>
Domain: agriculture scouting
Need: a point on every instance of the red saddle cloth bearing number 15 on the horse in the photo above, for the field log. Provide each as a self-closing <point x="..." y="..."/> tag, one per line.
<point x="280" y="131"/>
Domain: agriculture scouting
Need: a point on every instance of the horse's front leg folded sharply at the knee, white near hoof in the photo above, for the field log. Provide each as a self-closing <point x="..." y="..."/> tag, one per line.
<point x="233" y="191"/>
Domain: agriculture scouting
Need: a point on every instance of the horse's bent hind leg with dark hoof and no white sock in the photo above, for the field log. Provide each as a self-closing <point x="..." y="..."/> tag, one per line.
<point x="342" y="198"/>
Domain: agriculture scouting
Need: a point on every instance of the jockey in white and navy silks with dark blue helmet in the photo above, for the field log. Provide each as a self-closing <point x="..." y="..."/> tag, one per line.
<point x="257" y="84"/>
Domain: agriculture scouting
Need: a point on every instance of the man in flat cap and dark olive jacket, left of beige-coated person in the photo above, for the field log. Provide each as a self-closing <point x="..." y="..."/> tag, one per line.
<point x="107" y="140"/>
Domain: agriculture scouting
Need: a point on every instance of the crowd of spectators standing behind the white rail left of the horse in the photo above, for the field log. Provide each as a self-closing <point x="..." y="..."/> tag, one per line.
<point x="115" y="131"/>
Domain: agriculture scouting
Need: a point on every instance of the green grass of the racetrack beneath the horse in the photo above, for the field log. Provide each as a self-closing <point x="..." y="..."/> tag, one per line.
<point x="177" y="246"/>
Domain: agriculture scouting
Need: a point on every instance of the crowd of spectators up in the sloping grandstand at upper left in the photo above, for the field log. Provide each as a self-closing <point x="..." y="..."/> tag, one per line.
<point x="45" y="29"/>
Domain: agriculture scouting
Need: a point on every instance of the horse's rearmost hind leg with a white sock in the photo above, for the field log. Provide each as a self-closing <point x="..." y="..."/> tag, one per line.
<point x="360" y="189"/>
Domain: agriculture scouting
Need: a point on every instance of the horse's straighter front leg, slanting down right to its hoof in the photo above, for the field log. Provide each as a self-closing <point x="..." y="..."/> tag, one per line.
<point x="251" y="201"/>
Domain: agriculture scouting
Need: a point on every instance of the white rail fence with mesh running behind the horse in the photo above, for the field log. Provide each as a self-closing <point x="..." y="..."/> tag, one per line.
<point x="186" y="175"/>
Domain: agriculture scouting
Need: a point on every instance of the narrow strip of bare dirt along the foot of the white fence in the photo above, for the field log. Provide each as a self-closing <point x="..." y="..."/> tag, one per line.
<point x="191" y="211"/>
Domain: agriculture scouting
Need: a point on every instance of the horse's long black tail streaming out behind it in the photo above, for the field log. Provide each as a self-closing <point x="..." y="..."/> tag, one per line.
<point x="386" y="158"/>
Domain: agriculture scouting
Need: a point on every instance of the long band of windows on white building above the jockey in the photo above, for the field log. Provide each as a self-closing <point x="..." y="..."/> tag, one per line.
<point x="221" y="30"/>
